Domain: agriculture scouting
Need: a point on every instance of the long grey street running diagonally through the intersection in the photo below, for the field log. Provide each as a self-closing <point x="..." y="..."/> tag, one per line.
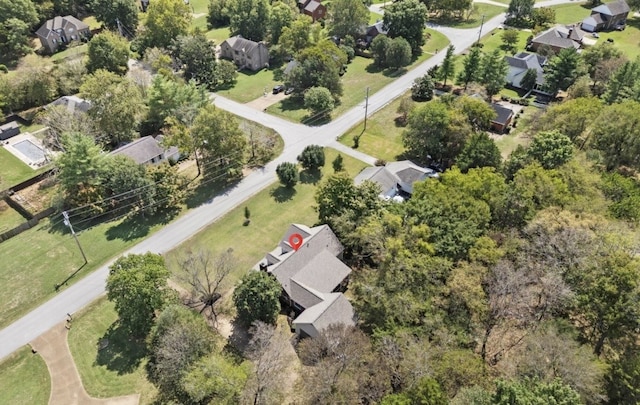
<point x="296" y="137"/>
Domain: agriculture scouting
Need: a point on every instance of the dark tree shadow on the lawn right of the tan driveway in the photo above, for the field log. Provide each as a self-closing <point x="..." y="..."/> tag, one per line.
<point x="120" y="352"/>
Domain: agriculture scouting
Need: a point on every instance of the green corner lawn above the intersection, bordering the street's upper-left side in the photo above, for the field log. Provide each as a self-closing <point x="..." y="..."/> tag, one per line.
<point x="355" y="81"/>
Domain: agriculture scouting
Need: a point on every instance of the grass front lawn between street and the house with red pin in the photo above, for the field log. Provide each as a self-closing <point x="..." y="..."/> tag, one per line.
<point x="272" y="210"/>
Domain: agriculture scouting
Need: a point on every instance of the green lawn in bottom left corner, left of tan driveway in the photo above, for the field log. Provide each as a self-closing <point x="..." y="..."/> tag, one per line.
<point x="24" y="379"/>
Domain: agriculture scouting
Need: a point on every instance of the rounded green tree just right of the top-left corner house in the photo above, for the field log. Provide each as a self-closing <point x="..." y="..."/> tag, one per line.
<point x="108" y="51"/>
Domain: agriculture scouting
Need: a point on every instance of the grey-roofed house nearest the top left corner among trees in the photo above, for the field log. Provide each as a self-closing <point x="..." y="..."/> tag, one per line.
<point x="60" y="31"/>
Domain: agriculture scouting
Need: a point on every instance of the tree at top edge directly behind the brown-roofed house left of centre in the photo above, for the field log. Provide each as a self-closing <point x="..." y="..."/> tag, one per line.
<point x="249" y="18"/>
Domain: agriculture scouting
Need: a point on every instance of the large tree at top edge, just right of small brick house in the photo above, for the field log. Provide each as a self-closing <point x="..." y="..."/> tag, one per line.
<point x="347" y="17"/>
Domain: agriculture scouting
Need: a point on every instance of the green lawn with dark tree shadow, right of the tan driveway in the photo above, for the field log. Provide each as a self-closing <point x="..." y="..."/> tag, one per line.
<point x="115" y="370"/>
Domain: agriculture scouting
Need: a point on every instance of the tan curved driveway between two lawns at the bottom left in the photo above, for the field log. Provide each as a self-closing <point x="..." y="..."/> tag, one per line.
<point x="66" y="386"/>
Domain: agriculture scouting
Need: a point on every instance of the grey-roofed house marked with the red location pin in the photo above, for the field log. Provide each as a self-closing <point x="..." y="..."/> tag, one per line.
<point x="312" y="278"/>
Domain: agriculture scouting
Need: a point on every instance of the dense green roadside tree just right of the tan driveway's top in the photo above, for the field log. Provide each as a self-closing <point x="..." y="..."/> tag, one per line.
<point x="137" y="284"/>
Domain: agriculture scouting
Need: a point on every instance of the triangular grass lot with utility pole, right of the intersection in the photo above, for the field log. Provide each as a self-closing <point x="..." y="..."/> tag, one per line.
<point x="383" y="138"/>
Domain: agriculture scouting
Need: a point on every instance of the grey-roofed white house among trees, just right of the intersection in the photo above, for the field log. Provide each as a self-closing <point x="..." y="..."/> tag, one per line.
<point x="396" y="179"/>
